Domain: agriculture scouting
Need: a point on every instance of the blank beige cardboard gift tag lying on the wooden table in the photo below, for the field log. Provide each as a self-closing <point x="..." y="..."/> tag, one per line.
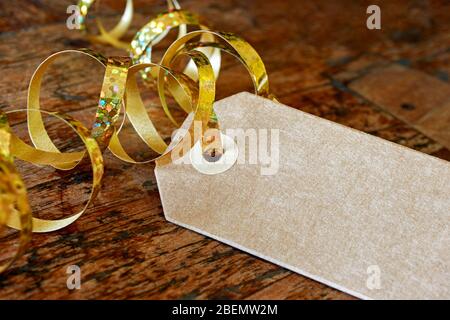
<point x="358" y="213"/>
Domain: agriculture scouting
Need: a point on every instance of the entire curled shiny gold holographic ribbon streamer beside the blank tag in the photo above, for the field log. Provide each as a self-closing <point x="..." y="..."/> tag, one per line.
<point x="193" y="90"/>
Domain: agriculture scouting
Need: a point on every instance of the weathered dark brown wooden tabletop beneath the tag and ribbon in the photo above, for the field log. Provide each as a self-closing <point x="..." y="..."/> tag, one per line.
<point x="321" y="58"/>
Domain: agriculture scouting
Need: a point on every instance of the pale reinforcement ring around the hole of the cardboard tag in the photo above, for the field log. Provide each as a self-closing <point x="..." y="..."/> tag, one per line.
<point x="226" y="161"/>
